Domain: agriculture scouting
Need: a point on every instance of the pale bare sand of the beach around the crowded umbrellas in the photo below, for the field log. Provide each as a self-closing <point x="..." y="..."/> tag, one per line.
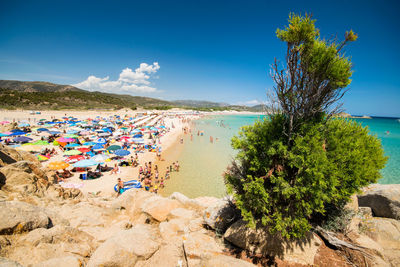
<point x="104" y="185"/>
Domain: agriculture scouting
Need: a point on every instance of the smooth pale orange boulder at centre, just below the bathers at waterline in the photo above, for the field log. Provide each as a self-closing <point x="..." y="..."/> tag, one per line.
<point x="159" y="207"/>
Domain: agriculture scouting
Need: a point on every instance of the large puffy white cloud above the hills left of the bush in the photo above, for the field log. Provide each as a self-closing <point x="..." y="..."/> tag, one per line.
<point x="128" y="82"/>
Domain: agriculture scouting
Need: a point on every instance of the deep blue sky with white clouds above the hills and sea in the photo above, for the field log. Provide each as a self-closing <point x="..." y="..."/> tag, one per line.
<point x="201" y="50"/>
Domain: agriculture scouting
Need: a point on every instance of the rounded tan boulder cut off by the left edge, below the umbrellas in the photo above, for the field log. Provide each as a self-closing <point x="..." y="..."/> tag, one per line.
<point x="20" y="217"/>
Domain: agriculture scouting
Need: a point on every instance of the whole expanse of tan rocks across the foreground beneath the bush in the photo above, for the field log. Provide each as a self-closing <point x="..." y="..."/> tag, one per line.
<point x="42" y="224"/>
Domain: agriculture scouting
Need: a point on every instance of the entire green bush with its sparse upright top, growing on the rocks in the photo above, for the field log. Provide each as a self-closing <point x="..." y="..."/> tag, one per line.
<point x="300" y="162"/>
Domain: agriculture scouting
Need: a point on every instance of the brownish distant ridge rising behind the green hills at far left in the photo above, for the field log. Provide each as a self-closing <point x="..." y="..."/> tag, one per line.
<point x="36" y="86"/>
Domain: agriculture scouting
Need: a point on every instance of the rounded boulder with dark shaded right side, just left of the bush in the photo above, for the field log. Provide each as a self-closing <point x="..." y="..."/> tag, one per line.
<point x="222" y="214"/>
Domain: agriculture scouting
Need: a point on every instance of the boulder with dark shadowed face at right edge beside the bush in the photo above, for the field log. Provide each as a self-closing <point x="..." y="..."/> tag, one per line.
<point x="384" y="200"/>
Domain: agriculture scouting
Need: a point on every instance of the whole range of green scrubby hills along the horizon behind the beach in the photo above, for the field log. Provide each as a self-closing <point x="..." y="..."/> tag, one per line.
<point x="45" y="95"/>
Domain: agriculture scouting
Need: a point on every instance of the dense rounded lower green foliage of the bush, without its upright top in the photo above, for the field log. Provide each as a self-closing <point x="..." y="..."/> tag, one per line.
<point x="289" y="188"/>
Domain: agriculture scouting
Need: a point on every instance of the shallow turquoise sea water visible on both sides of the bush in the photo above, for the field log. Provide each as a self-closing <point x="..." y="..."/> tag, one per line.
<point x="203" y="163"/>
